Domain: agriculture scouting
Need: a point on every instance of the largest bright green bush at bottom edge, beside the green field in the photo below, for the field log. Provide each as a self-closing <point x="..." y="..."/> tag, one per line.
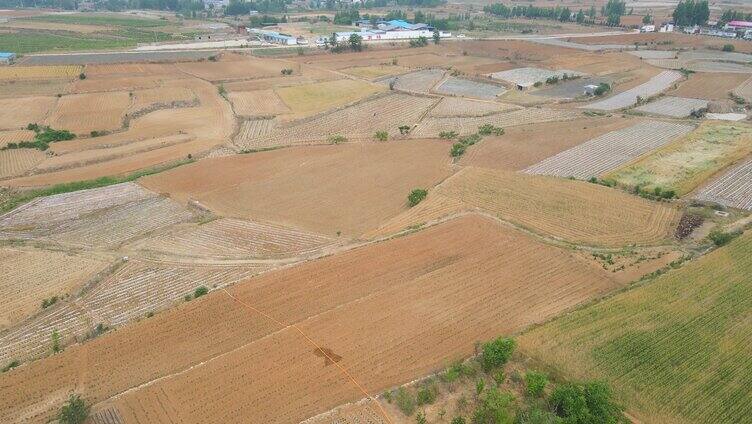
<point x="588" y="403"/>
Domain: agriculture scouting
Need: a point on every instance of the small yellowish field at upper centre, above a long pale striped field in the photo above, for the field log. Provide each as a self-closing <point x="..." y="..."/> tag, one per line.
<point x="309" y="99"/>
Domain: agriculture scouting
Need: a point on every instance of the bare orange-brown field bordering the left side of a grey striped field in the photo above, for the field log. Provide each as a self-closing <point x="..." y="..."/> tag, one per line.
<point x="525" y="145"/>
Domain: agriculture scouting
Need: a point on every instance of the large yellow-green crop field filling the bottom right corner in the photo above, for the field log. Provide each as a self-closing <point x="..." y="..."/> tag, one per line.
<point x="675" y="349"/>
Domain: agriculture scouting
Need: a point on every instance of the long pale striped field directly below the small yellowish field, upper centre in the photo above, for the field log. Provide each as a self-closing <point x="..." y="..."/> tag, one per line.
<point x="384" y="113"/>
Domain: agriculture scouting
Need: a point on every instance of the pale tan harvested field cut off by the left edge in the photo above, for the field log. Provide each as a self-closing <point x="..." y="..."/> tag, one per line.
<point x="31" y="276"/>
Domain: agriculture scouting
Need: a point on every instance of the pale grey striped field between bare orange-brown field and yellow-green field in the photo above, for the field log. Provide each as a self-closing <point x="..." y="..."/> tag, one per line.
<point x="610" y="150"/>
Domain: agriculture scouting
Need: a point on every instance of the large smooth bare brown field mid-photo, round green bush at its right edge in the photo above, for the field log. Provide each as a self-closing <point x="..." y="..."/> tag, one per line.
<point x="349" y="188"/>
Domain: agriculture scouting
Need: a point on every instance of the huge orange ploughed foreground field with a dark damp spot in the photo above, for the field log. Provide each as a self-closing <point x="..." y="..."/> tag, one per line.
<point x="428" y="296"/>
